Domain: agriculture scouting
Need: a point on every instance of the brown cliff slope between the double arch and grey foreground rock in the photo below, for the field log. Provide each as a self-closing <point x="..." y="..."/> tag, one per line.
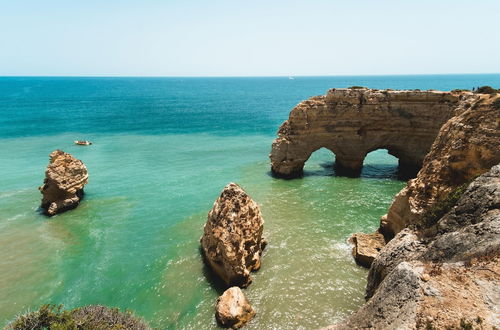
<point x="467" y="145"/>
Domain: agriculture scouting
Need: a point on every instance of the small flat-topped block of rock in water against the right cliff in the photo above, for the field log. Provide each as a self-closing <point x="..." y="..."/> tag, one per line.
<point x="366" y="247"/>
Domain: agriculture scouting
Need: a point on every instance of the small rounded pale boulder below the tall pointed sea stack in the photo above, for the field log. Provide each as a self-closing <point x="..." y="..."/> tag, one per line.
<point x="233" y="309"/>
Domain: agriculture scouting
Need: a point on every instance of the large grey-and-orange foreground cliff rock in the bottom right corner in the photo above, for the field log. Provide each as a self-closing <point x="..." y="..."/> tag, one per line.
<point x="439" y="281"/>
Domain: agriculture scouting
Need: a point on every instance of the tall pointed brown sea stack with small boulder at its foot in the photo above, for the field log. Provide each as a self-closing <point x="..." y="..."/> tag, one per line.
<point x="232" y="242"/>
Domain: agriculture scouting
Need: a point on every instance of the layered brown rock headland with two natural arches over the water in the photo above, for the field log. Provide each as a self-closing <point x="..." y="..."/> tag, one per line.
<point x="354" y="122"/>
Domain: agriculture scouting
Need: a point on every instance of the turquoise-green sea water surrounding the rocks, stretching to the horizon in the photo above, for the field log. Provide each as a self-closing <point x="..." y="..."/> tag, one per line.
<point x="163" y="149"/>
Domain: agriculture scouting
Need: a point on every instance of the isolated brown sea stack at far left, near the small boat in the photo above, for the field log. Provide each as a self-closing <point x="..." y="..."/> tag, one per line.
<point x="62" y="188"/>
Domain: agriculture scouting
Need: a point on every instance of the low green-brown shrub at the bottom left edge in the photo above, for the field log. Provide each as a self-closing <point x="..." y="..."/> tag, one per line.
<point x="53" y="317"/>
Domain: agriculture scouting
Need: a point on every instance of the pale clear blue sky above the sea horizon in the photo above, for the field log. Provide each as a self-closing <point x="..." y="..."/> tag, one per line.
<point x="248" y="38"/>
